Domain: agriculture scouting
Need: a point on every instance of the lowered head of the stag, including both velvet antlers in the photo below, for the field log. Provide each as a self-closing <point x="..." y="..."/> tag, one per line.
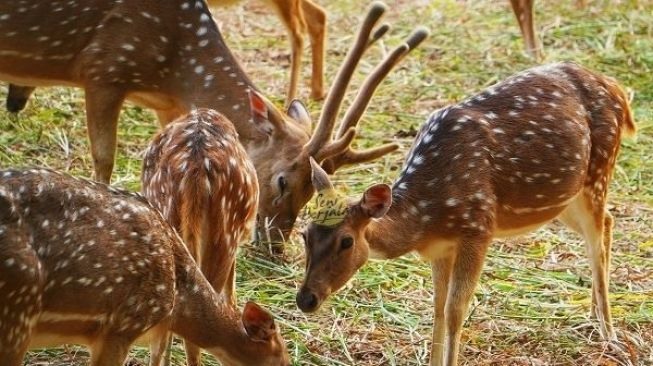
<point x="282" y="163"/>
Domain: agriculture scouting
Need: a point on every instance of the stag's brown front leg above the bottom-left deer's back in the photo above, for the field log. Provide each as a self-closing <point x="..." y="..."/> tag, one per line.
<point x="102" y="111"/>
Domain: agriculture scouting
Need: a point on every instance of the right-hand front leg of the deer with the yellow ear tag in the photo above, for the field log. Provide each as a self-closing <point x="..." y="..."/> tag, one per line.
<point x="466" y="272"/>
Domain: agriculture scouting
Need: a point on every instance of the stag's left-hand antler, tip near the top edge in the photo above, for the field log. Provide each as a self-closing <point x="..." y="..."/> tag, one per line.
<point x="336" y="94"/>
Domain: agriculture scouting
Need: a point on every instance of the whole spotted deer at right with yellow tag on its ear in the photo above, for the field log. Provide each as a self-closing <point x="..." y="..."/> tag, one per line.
<point x="538" y="146"/>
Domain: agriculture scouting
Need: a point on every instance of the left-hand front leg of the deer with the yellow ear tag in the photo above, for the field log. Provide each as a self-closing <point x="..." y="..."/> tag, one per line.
<point x="441" y="273"/>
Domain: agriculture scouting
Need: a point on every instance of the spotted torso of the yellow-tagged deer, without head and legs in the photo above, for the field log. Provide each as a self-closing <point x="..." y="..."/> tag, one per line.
<point x="516" y="153"/>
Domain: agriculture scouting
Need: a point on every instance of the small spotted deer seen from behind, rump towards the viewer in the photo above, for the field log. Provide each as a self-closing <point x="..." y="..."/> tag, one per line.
<point x="198" y="175"/>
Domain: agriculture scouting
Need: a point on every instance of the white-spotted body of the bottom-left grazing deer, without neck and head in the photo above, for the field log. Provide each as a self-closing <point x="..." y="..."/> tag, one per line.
<point x="66" y="240"/>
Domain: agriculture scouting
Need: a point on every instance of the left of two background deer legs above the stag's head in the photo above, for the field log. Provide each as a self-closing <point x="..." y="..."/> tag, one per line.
<point x="293" y="20"/>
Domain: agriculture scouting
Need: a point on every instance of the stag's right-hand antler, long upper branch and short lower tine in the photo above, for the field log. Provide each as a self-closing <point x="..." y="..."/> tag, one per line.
<point x="358" y="107"/>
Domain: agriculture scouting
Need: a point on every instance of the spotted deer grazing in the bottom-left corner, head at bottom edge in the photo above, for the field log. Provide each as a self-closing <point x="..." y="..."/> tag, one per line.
<point x="64" y="239"/>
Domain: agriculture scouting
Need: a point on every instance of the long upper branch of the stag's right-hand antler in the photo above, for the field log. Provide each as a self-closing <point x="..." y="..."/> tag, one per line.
<point x="366" y="92"/>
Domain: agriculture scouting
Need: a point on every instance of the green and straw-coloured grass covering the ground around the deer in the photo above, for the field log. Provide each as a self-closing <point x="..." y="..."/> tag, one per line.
<point x="532" y="306"/>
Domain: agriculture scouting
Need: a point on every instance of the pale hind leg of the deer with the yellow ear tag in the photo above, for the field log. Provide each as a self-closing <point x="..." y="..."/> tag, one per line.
<point x="588" y="217"/>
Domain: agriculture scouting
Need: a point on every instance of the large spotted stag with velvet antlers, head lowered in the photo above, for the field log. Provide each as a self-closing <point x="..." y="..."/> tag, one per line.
<point x="169" y="56"/>
